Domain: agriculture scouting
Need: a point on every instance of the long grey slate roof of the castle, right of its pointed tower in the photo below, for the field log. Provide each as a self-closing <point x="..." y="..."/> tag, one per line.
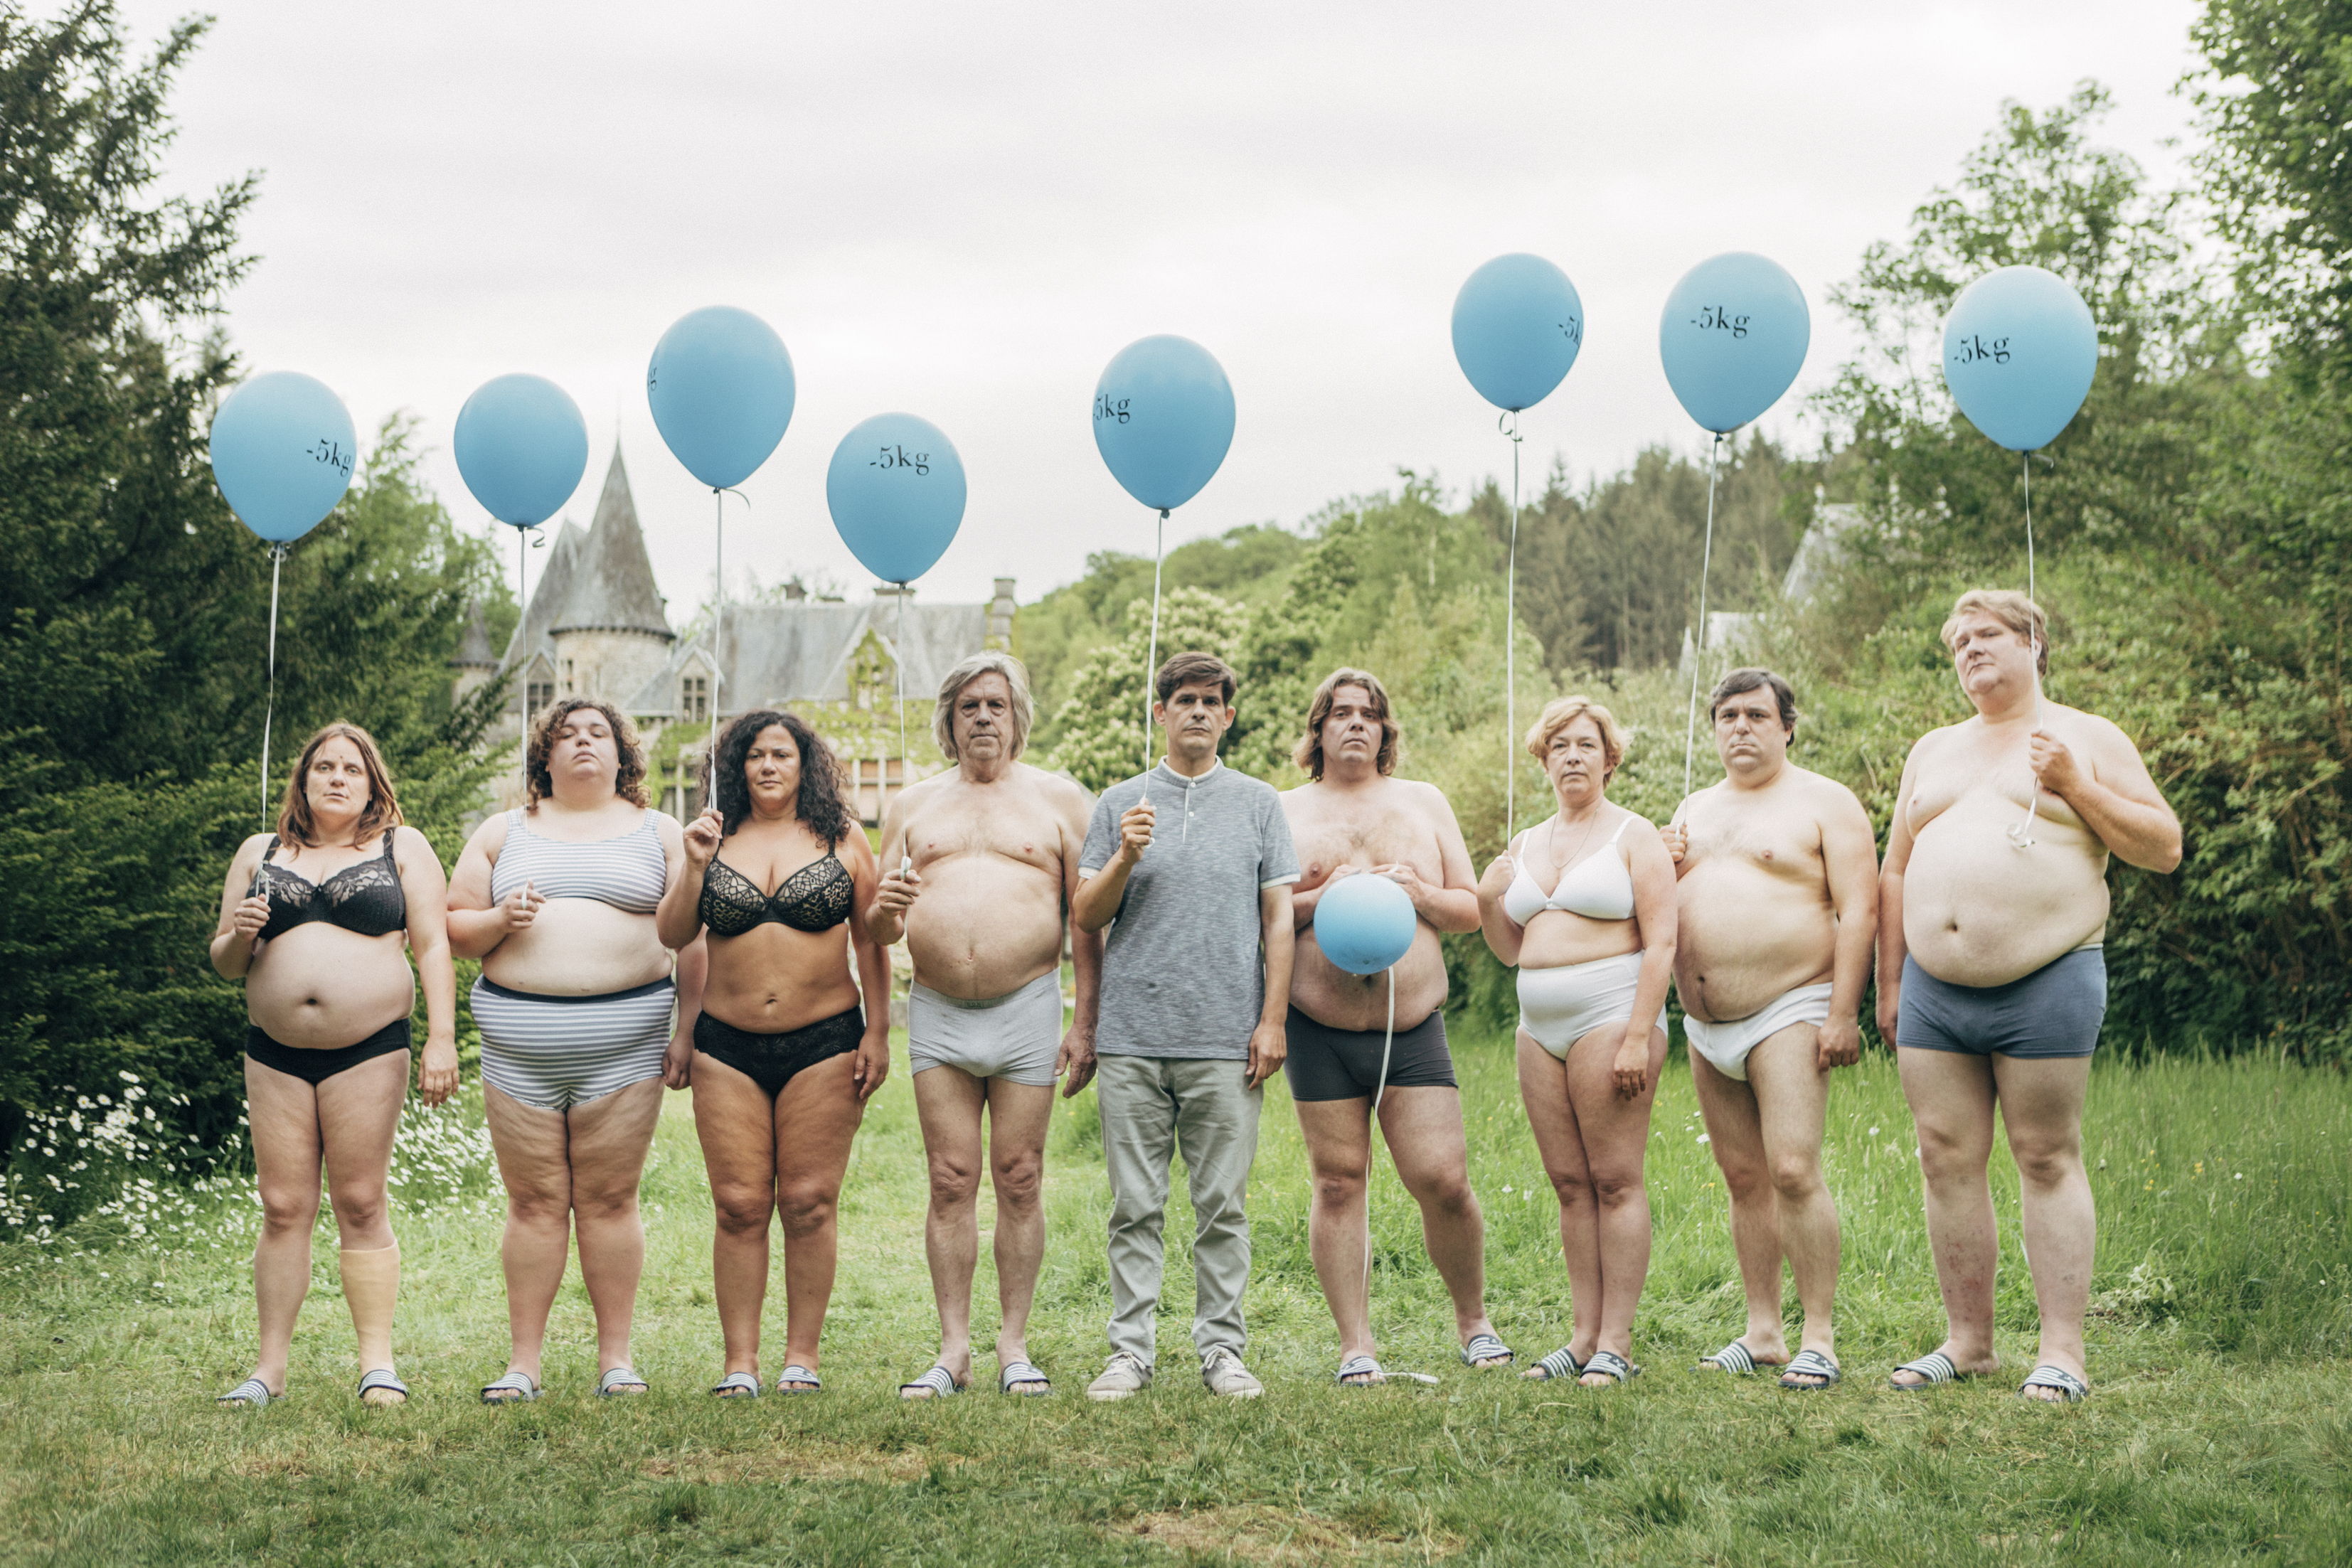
<point x="801" y="652"/>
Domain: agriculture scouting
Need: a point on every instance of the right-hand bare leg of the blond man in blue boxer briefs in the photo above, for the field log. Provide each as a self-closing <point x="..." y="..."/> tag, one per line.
<point x="2043" y="1113"/>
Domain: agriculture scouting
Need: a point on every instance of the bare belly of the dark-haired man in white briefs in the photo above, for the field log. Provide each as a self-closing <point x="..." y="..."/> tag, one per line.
<point x="1744" y="937"/>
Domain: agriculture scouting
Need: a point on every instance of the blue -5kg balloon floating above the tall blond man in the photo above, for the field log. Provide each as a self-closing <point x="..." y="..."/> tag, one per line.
<point x="2019" y="354"/>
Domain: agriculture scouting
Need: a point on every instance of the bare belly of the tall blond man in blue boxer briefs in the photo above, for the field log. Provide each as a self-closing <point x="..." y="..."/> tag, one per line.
<point x="1979" y="911"/>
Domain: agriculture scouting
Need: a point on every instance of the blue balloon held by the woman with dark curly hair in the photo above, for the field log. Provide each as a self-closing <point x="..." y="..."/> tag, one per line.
<point x="723" y="394"/>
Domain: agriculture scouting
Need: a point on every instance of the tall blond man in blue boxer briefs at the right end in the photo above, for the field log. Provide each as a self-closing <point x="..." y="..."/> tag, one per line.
<point x="1993" y="911"/>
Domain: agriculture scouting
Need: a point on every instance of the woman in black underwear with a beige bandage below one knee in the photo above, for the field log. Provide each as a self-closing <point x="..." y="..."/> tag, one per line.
<point x="314" y="920"/>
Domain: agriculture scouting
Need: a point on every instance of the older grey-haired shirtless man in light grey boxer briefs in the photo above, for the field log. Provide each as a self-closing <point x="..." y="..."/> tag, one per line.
<point x="980" y="871"/>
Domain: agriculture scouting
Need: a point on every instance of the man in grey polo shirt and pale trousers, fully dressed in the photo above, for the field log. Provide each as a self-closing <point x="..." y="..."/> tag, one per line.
<point x="1191" y="869"/>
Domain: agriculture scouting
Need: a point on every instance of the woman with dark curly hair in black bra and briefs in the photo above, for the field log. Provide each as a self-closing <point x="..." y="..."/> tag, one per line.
<point x="784" y="1057"/>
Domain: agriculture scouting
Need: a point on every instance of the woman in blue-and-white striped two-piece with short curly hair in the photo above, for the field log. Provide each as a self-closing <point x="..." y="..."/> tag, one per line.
<point x="575" y="1010"/>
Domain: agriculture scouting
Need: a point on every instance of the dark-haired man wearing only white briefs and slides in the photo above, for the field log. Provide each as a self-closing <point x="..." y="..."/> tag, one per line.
<point x="1777" y="899"/>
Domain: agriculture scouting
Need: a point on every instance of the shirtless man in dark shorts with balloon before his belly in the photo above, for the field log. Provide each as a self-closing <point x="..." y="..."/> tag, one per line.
<point x="1356" y="819"/>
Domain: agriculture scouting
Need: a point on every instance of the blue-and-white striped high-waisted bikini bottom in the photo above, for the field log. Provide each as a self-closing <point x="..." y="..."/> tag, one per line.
<point x="561" y="1052"/>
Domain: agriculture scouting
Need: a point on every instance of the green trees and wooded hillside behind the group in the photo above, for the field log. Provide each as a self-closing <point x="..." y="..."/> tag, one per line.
<point x="2193" y="554"/>
